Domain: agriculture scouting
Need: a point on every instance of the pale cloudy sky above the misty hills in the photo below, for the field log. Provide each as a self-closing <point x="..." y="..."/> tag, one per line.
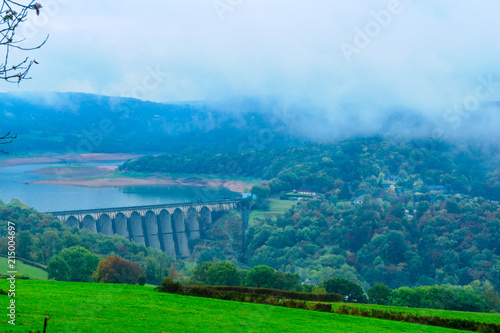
<point x="423" y="55"/>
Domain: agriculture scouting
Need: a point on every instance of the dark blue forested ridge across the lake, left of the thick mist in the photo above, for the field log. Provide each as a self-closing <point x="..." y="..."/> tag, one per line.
<point x="85" y="123"/>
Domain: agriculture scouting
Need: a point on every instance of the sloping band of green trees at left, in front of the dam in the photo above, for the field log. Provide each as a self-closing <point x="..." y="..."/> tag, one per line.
<point x="41" y="237"/>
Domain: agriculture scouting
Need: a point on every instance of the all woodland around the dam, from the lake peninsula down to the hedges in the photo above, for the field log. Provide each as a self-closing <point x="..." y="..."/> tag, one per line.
<point x="402" y="213"/>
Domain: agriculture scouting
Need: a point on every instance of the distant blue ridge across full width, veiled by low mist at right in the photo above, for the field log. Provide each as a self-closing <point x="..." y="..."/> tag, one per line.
<point x="83" y="123"/>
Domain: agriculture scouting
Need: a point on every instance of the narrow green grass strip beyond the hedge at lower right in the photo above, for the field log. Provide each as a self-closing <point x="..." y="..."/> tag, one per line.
<point x="481" y="317"/>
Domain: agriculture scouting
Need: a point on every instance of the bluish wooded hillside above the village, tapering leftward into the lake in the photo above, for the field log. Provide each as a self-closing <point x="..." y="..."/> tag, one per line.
<point x="362" y="164"/>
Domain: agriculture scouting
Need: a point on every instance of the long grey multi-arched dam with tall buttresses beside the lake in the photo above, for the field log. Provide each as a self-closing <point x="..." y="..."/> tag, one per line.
<point x="170" y="228"/>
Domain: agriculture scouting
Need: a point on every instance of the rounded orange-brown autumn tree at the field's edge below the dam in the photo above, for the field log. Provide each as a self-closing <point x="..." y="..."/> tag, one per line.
<point x="117" y="270"/>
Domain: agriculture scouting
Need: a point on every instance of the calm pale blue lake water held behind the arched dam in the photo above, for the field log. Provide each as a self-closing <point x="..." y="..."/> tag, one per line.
<point x="14" y="183"/>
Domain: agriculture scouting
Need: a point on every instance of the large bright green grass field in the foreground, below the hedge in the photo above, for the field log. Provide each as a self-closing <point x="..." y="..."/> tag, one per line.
<point x="92" y="307"/>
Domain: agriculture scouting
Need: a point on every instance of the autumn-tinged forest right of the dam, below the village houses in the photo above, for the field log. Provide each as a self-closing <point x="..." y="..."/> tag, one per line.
<point x="452" y="240"/>
